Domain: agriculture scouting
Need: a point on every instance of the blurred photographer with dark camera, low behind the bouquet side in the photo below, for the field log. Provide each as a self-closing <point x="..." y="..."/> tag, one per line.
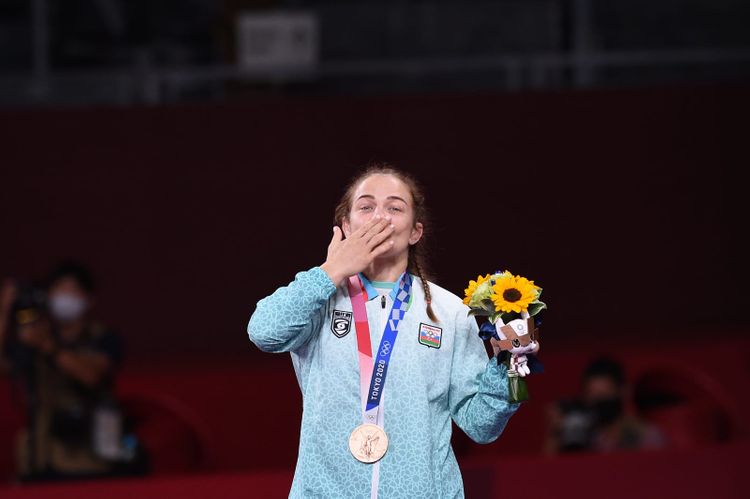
<point x="599" y="420"/>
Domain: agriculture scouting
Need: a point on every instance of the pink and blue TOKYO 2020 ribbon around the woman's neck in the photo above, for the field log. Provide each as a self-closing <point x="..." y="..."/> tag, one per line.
<point x="376" y="371"/>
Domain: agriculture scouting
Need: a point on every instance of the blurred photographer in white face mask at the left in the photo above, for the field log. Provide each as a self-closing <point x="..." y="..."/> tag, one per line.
<point x="66" y="364"/>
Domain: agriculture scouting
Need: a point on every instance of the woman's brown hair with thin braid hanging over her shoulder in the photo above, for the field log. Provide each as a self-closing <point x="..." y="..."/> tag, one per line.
<point x="417" y="263"/>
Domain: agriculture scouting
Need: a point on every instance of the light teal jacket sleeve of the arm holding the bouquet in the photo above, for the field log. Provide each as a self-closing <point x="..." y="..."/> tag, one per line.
<point x="479" y="387"/>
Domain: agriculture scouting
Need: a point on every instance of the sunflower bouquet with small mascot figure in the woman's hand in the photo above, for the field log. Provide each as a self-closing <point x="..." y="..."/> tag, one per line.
<point x="512" y="305"/>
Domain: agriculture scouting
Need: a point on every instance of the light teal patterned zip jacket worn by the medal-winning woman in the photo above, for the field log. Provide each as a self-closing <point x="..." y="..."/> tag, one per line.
<point x="428" y="384"/>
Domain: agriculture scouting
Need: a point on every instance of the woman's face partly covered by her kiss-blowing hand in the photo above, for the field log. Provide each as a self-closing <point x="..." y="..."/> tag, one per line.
<point x="387" y="196"/>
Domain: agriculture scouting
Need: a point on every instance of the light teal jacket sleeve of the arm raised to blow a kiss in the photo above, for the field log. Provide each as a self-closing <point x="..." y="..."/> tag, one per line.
<point x="287" y="319"/>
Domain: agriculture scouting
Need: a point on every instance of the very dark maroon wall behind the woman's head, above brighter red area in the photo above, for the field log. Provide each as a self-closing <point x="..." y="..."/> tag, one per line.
<point x="624" y="203"/>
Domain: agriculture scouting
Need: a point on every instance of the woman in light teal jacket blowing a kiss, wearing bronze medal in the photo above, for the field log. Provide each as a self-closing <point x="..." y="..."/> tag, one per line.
<point x="377" y="412"/>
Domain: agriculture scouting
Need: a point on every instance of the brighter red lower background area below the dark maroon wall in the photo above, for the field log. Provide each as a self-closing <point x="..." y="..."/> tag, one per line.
<point x="236" y="426"/>
